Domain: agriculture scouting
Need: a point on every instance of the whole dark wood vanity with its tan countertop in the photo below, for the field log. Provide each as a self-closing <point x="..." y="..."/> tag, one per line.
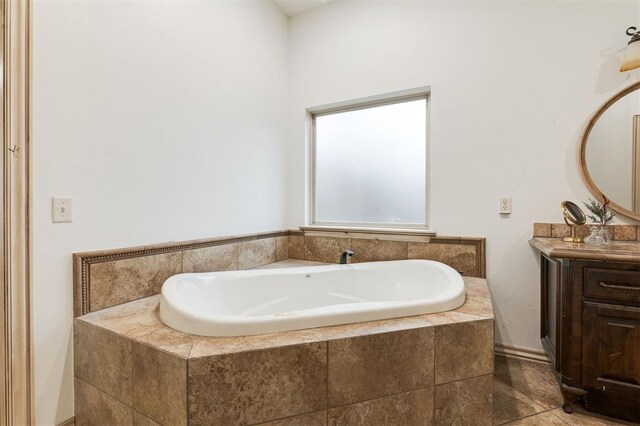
<point x="590" y="323"/>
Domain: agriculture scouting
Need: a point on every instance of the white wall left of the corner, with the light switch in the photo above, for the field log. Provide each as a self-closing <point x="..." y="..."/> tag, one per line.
<point x="165" y="121"/>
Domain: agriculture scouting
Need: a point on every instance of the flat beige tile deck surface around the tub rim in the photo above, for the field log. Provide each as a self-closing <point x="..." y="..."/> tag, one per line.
<point x="139" y="321"/>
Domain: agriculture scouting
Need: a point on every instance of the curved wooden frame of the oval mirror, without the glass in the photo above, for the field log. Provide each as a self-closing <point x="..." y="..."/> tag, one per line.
<point x="582" y="149"/>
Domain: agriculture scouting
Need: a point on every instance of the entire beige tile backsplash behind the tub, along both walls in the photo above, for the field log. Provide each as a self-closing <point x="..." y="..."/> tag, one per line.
<point x="111" y="277"/>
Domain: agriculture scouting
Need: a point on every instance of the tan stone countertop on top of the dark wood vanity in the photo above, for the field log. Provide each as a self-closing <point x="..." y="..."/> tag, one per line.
<point x="616" y="251"/>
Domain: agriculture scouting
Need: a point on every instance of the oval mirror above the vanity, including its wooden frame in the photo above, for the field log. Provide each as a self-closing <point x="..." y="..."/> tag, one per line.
<point x="610" y="152"/>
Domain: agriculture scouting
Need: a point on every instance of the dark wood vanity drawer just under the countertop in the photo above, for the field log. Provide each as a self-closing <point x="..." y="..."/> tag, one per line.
<point x="612" y="284"/>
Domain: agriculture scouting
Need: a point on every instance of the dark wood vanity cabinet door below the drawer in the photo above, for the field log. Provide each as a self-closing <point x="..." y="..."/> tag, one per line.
<point x="611" y="359"/>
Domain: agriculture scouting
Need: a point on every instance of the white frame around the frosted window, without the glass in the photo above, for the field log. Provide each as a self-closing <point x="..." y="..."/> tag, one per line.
<point x="354" y="105"/>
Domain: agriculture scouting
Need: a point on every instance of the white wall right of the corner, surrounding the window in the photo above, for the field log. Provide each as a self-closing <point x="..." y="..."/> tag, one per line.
<point x="513" y="85"/>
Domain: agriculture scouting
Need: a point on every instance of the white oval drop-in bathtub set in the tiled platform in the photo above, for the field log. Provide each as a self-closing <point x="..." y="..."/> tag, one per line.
<point x="240" y="303"/>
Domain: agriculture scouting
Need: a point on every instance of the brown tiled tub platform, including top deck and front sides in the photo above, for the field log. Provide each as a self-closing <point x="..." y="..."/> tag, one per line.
<point x="400" y="371"/>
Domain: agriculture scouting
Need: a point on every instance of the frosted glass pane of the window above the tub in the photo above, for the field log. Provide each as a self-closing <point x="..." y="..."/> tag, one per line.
<point x="370" y="165"/>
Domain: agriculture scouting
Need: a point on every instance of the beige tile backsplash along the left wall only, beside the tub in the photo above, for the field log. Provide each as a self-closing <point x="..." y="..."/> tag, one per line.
<point x="111" y="277"/>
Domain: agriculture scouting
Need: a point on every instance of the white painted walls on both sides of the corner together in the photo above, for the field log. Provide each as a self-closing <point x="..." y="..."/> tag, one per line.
<point x="171" y="121"/>
